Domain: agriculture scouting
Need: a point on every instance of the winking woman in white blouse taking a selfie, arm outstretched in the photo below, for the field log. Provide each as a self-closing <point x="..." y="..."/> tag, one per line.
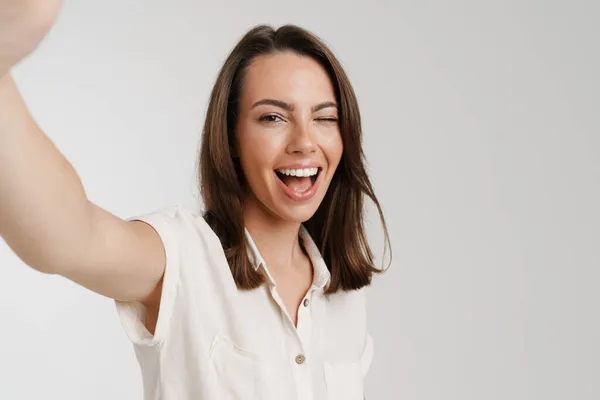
<point x="259" y="294"/>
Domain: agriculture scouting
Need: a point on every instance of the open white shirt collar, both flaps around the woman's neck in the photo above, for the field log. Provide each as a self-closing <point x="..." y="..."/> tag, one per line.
<point x="321" y="274"/>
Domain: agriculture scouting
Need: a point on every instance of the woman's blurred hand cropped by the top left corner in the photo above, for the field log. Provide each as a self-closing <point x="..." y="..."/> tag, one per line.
<point x="23" y="25"/>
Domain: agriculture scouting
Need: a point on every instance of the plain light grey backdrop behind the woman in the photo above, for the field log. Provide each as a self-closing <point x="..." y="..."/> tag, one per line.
<point x="482" y="138"/>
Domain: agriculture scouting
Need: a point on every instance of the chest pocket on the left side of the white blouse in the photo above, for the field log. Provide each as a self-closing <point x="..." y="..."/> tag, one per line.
<point x="243" y="375"/>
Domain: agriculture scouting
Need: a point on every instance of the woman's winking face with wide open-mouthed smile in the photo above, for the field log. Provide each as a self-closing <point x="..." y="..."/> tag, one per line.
<point x="288" y="137"/>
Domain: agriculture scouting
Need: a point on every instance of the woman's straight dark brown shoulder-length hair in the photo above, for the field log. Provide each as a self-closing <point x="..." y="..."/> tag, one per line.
<point x="337" y="227"/>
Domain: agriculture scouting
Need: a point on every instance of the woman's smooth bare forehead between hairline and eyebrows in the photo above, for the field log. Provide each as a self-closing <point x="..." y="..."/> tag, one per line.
<point x="287" y="76"/>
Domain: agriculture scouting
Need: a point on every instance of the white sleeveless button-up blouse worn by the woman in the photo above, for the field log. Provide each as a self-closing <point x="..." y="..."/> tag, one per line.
<point x="215" y="342"/>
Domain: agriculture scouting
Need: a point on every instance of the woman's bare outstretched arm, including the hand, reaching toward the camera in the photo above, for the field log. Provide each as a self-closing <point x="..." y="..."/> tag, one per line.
<point x="45" y="216"/>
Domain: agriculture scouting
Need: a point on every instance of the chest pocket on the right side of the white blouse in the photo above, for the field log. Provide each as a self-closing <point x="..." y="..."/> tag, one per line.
<point x="345" y="380"/>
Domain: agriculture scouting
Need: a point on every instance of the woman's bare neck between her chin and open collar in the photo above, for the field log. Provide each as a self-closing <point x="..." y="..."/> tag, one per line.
<point x="276" y="239"/>
